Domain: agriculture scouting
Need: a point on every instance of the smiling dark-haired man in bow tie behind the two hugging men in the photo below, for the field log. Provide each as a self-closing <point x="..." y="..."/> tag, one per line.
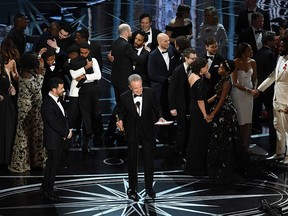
<point x="145" y="21"/>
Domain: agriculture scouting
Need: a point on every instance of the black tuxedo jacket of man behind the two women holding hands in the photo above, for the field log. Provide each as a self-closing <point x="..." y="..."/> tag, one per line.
<point x="213" y="70"/>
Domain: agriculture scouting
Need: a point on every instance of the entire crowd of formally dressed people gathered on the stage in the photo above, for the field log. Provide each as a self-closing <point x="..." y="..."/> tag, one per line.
<point x="156" y="76"/>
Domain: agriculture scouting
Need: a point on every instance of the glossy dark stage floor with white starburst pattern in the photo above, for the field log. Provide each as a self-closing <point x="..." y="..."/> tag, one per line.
<point x="96" y="184"/>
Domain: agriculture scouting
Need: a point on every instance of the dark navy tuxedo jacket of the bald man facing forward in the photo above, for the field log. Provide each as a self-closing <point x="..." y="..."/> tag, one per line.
<point x="157" y="68"/>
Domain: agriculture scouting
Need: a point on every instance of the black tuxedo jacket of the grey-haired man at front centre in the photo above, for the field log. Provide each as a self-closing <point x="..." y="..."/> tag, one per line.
<point x="151" y="112"/>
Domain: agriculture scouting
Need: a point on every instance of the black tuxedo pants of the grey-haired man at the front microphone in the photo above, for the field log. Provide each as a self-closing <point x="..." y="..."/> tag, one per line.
<point x="133" y="157"/>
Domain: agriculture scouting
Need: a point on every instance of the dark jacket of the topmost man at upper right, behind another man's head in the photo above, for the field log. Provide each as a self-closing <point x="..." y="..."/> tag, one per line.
<point x="243" y="23"/>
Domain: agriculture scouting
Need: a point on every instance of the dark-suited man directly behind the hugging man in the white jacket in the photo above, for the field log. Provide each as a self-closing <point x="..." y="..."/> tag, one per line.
<point x="81" y="36"/>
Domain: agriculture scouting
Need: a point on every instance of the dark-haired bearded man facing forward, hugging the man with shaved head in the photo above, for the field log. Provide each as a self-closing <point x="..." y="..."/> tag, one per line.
<point x="142" y="52"/>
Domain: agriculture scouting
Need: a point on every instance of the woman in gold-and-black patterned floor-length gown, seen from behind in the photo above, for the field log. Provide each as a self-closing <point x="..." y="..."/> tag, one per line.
<point x="28" y="150"/>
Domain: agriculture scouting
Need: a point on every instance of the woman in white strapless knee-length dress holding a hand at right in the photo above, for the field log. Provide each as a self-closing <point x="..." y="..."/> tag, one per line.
<point x="244" y="80"/>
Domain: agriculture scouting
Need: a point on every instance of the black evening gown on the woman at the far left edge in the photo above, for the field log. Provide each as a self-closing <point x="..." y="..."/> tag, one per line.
<point x="7" y="119"/>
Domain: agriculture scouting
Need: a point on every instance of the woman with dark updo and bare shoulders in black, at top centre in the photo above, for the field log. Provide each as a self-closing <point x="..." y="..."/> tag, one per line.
<point x="181" y="25"/>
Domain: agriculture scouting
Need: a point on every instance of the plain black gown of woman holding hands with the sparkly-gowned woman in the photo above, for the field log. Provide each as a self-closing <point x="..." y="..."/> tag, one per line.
<point x="199" y="132"/>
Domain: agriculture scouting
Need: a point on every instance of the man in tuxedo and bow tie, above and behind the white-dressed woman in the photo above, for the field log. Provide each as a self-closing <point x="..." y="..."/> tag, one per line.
<point x="253" y="35"/>
